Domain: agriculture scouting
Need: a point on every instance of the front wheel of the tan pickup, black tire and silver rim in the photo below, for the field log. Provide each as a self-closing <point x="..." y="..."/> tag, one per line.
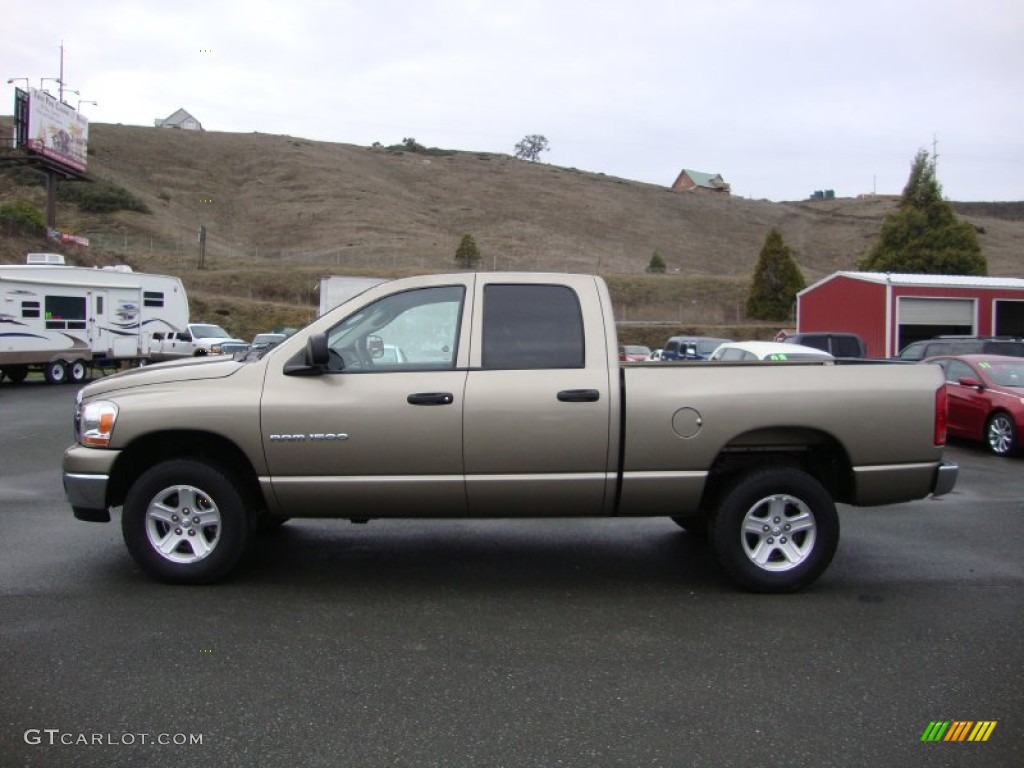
<point x="200" y="547"/>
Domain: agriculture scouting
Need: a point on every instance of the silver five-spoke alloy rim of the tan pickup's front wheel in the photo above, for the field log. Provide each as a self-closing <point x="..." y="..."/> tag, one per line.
<point x="183" y="525"/>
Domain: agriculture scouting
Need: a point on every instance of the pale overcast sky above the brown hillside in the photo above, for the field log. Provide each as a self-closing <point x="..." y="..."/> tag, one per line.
<point x="782" y="98"/>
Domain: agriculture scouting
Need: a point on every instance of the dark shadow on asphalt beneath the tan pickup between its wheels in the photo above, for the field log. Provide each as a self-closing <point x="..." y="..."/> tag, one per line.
<point x="483" y="556"/>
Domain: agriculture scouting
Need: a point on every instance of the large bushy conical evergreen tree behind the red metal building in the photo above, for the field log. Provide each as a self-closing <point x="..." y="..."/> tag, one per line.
<point x="923" y="235"/>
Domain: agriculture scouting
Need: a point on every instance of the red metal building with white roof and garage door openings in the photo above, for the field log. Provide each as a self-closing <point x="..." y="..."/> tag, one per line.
<point x="889" y="312"/>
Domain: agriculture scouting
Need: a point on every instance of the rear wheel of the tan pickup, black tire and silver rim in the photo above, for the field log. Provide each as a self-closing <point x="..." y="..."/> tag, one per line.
<point x="776" y="531"/>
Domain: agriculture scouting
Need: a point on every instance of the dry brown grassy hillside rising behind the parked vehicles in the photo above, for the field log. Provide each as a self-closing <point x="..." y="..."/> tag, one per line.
<point x="282" y="211"/>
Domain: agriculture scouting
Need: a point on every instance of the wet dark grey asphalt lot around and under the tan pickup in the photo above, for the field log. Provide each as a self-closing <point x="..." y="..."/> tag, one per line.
<point x="505" y="644"/>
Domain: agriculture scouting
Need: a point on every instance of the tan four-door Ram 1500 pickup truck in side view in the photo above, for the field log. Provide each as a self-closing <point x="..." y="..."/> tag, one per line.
<point x="499" y="396"/>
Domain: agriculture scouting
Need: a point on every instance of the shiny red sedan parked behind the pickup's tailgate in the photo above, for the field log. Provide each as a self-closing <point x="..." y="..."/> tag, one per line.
<point x="987" y="399"/>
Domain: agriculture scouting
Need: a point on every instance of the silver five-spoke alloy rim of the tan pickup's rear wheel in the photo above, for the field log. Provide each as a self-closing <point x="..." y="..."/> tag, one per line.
<point x="779" y="533"/>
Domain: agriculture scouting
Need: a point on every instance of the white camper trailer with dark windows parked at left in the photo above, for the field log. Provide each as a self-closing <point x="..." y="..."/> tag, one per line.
<point x="61" y="320"/>
